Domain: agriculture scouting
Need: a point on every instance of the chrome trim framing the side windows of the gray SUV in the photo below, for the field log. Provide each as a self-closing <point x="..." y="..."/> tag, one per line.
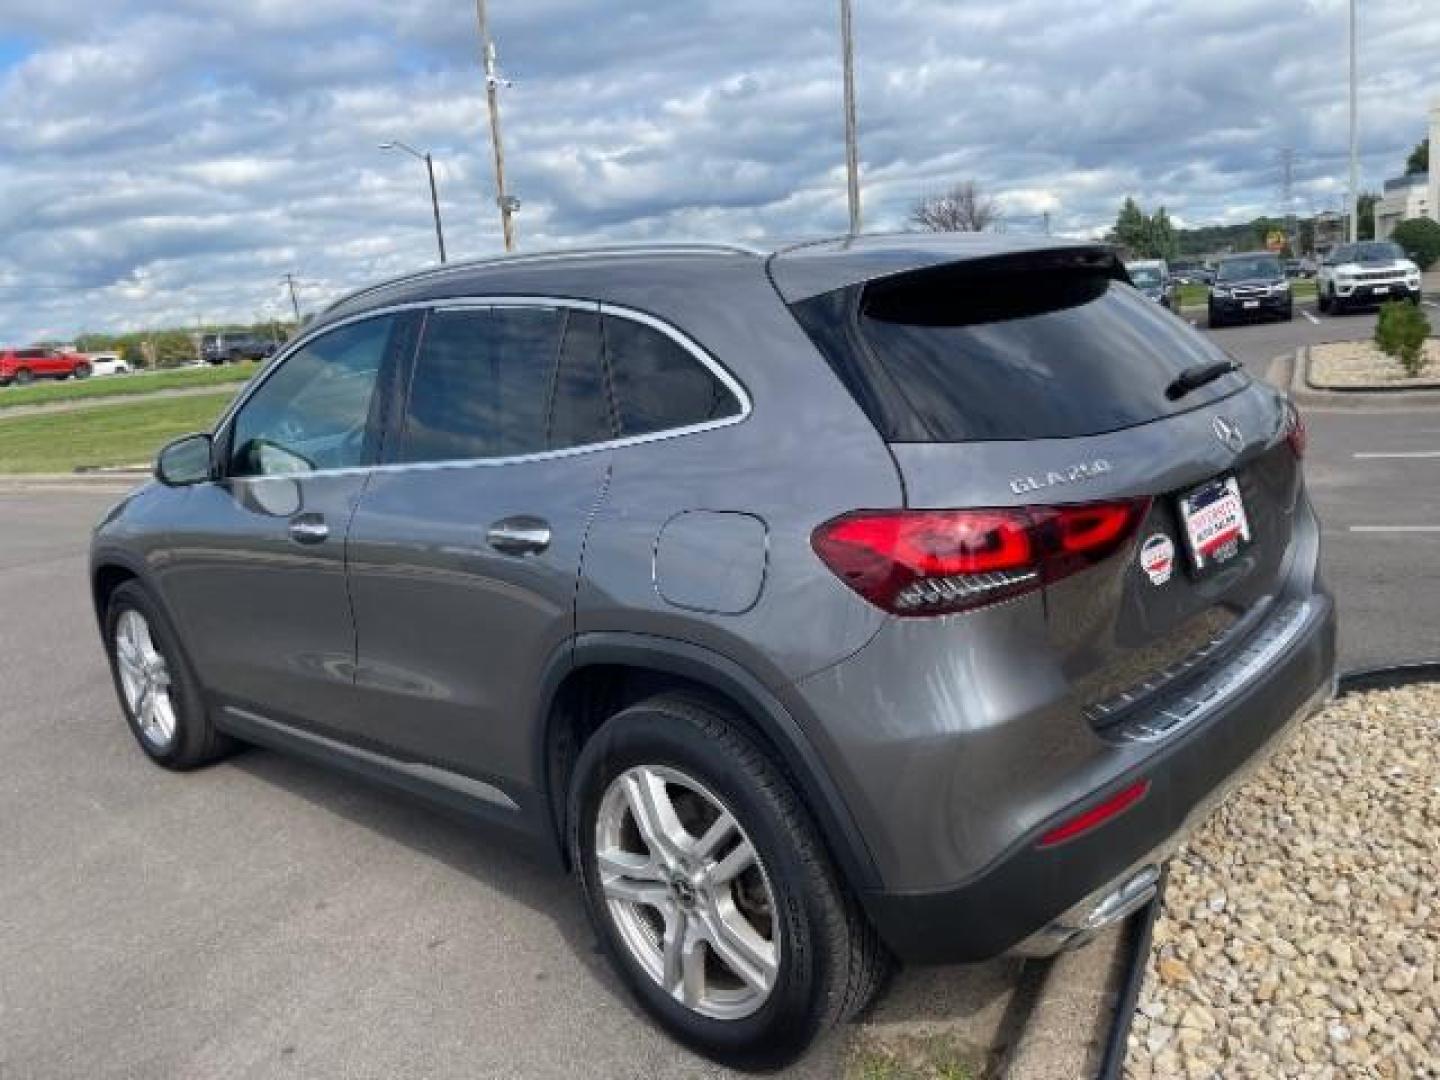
<point x="505" y="302"/>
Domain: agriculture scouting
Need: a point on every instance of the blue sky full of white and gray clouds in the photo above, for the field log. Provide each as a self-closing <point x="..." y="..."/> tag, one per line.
<point x="163" y="163"/>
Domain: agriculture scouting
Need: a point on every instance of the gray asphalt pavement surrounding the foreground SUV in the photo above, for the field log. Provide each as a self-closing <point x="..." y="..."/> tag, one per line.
<point x="266" y="918"/>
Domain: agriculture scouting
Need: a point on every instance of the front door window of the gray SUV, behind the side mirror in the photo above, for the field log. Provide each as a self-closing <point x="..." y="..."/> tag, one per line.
<point x="315" y="411"/>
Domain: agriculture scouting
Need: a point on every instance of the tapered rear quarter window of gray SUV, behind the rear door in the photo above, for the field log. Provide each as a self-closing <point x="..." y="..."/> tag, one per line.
<point x="659" y="385"/>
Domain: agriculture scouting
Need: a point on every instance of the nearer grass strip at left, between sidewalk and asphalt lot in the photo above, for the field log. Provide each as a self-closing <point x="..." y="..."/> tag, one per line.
<point x="123" y="434"/>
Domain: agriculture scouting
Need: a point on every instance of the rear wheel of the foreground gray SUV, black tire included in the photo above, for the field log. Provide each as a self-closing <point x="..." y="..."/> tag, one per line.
<point x="827" y="960"/>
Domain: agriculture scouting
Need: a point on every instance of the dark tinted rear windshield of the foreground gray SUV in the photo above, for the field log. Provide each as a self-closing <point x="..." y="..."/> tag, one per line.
<point x="968" y="356"/>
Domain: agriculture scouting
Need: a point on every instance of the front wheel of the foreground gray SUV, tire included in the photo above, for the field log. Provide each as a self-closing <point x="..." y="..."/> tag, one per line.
<point x="192" y="739"/>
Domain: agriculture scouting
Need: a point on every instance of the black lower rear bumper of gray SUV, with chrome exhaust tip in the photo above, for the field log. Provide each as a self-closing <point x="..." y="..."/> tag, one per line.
<point x="1039" y="901"/>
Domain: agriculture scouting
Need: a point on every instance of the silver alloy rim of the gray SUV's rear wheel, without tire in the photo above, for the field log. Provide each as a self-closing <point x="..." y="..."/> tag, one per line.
<point x="688" y="892"/>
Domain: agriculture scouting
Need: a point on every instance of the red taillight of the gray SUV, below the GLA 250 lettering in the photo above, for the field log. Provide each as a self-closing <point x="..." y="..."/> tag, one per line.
<point x="934" y="562"/>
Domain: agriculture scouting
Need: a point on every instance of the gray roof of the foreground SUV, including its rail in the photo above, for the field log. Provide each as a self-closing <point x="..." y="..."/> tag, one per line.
<point x="798" y="270"/>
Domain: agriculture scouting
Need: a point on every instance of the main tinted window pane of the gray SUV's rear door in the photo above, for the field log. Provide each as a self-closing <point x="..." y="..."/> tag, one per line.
<point x="482" y="384"/>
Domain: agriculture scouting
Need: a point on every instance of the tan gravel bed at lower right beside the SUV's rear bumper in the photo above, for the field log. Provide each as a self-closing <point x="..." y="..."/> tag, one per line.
<point x="1301" y="931"/>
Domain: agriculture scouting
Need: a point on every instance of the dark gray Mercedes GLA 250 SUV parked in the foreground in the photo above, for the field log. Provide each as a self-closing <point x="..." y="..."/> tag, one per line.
<point x="862" y="600"/>
